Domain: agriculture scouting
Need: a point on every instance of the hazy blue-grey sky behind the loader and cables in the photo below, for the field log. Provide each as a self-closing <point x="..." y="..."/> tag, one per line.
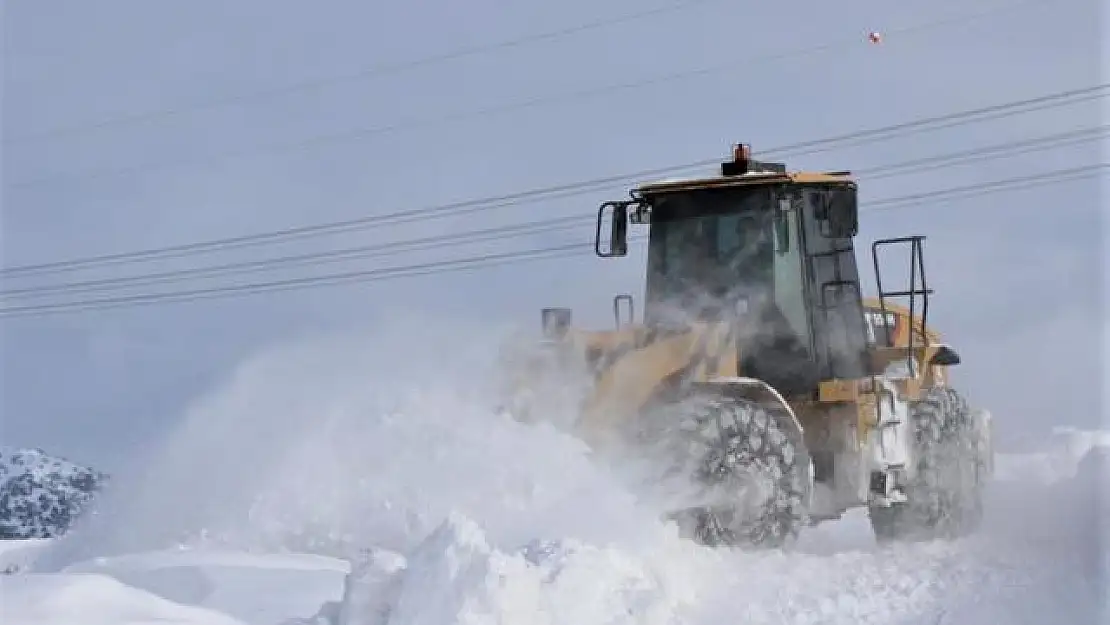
<point x="1018" y="275"/>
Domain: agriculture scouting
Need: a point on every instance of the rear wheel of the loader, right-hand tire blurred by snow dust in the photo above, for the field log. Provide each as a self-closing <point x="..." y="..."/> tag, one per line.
<point x="945" y="496"/>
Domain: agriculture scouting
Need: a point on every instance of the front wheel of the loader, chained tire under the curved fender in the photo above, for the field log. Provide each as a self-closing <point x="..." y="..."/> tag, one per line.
<point x="752" y="473"/>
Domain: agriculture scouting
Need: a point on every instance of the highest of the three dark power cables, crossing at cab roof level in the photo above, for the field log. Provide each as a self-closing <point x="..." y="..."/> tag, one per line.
<point x="924" y="125"/>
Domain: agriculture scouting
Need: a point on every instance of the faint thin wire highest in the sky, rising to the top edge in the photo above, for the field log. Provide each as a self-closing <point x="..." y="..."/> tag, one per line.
<point x="371" y="72"/>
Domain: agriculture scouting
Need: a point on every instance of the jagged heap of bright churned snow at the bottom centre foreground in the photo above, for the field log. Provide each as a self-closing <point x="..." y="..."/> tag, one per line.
<point x="457" y="577"/>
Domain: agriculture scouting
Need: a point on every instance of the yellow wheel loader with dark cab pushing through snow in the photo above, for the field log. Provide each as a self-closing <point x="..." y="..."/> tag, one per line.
<point x="761" y="375"/>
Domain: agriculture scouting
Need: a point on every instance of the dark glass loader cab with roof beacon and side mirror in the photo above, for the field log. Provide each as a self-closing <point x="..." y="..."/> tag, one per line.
<point x="770" y="250"/>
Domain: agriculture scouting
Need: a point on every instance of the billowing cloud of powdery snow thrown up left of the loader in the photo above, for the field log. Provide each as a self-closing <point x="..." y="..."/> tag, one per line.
<point x="361" y="439"/>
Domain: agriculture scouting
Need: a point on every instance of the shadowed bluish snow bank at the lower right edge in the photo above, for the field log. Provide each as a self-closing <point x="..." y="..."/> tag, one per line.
<point x="1047" y="533"/>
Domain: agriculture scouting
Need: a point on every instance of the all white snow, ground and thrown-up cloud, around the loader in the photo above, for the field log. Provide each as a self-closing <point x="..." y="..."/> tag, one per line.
<point x="451" y="515"/>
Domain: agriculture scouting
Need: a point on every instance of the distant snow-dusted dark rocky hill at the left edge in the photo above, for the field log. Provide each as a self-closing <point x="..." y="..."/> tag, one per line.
<point x="43" y="496"/>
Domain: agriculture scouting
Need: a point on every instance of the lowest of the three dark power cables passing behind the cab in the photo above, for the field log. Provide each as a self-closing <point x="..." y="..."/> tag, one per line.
<point x="500" y="258"/>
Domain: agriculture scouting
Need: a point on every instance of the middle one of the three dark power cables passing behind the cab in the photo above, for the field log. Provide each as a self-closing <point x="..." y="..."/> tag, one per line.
<point x="532" y="228"/>
